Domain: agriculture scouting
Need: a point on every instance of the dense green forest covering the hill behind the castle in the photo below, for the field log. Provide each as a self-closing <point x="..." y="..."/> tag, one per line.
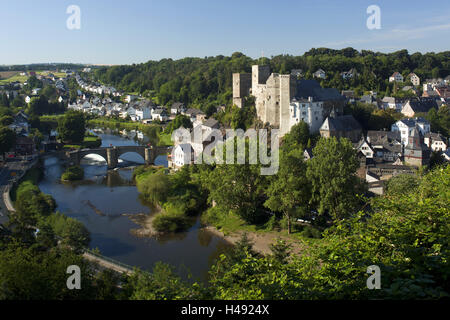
<point x="205" y="81"/>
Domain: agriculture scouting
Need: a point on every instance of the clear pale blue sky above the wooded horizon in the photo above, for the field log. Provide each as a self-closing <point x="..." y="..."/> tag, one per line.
<point x="134" y="31"/>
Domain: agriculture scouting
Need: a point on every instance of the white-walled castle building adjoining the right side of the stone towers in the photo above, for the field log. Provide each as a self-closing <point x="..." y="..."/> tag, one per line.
<point x="308" y="111"/>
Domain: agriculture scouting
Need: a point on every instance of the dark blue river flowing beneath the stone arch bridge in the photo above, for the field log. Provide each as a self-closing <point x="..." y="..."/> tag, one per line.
<point x="113" y="193"/>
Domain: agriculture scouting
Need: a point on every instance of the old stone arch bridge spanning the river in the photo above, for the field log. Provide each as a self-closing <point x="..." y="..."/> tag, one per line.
<point x="112" y="154"/>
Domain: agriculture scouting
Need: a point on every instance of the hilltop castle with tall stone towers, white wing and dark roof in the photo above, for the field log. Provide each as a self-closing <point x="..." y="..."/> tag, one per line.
<point x="282" y="100"/>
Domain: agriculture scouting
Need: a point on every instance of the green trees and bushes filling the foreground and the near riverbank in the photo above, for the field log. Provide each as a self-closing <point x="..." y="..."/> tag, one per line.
<point x="404" y="232"/>
